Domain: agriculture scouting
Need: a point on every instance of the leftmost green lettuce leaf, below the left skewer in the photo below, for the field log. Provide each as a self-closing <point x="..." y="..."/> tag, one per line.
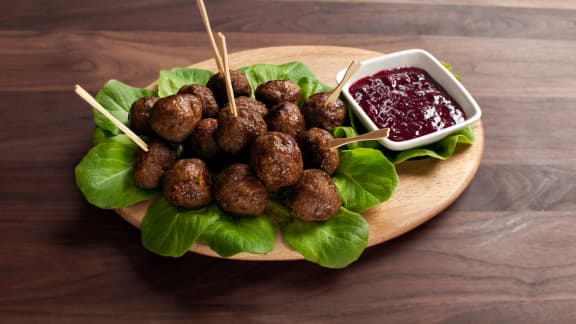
<point x="105" y="174"/>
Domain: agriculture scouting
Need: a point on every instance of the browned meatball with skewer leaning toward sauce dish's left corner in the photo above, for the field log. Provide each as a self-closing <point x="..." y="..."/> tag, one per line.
<point x="317" y="115"/>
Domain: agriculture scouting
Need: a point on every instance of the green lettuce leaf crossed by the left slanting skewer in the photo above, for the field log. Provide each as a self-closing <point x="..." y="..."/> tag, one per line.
<point x="117" y="98"/>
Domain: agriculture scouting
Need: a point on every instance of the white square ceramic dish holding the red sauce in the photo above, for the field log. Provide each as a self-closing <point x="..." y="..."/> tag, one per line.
<point x="420" y="59"/>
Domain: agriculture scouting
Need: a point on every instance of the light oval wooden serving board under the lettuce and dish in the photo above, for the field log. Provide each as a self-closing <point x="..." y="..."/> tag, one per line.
<point x="426" y="186"/>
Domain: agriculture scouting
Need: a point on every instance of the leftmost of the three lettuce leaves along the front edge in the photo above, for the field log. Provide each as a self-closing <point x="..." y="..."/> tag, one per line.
<point x="170" y="231"/>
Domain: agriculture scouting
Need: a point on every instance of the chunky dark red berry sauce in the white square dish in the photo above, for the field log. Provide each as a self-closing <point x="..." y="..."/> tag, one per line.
<point x="408" y="101"/>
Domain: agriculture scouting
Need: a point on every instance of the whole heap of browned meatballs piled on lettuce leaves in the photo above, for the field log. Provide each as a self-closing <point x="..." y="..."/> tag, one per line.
<point x="273" y="147"/>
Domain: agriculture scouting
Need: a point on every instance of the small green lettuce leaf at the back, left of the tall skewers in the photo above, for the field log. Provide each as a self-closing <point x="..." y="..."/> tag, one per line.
<point x="170" y="81"/>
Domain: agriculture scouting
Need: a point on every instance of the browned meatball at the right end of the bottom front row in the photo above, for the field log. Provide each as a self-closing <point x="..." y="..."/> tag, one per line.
<point x="314" y="197"/>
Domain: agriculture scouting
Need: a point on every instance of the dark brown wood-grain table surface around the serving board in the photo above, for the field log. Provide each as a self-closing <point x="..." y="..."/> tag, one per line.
<point x="504" y="252"/>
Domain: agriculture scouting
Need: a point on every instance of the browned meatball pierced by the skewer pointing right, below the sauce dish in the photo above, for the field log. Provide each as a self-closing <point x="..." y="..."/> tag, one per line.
<point x="315" y="150"/>
